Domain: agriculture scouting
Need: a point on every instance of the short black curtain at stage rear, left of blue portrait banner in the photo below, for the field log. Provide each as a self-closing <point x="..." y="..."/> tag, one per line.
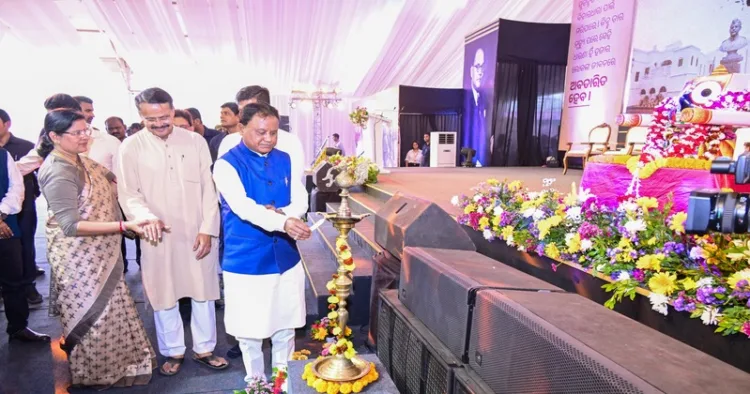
<point x="413" y="127"/>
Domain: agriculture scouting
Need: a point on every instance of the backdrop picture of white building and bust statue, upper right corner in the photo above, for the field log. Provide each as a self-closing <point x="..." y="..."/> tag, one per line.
<point x="667" y="53"/>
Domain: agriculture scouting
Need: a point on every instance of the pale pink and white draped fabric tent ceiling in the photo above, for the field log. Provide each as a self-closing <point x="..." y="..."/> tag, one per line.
<point x="360" y="46"/>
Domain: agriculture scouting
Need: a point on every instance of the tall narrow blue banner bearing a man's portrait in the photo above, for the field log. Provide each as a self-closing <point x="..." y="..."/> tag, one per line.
<point x="479" y="85"/>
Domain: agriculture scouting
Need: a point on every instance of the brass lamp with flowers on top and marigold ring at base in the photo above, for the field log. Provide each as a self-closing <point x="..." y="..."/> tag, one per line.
<point x="342" y="370"/>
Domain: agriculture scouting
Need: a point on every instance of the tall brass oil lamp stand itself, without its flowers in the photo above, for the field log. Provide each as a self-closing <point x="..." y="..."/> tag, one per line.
<point x="337" y="367"/>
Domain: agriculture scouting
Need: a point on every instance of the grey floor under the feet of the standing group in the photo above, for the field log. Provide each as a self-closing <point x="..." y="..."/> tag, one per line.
<point x="37" y="368"/>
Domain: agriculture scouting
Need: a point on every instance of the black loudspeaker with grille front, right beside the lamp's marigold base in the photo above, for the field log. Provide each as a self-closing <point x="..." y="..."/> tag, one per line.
<point x="416" y="361"/>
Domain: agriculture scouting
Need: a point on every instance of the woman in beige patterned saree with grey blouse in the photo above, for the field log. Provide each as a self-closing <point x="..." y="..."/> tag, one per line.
<point x="103" y="334"/>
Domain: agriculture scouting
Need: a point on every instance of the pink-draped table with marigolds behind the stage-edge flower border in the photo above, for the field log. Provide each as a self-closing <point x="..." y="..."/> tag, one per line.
<point x="610" y="181"/>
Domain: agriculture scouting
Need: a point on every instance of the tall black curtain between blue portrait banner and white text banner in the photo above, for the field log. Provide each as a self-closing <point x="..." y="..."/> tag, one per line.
<point x="529" y="86"/>
